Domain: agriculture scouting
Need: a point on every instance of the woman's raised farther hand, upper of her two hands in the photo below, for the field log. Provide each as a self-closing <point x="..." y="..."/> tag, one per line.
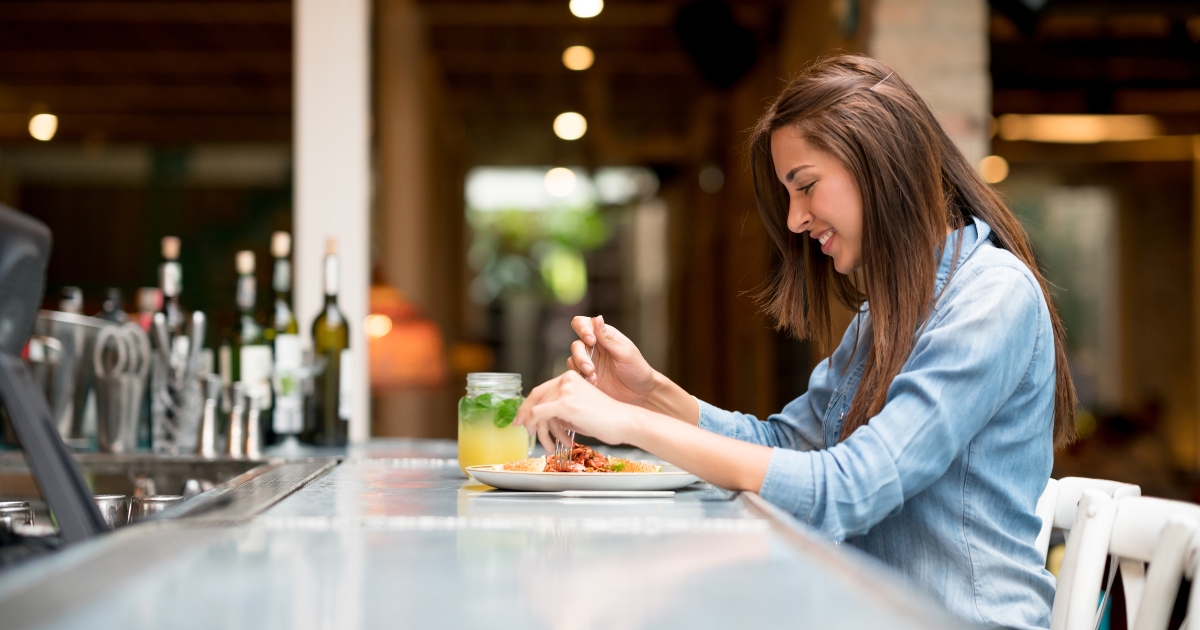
<point x="617" y="368"/>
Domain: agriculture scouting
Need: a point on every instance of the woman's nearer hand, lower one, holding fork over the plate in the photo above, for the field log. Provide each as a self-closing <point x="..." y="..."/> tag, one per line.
<point x="569" y="403"/>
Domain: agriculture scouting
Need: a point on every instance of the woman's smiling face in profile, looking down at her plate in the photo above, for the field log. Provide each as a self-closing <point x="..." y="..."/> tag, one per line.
<point x="824" y="199"/>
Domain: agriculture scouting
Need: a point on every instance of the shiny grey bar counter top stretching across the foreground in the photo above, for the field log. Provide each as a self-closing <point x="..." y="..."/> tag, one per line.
<point x="392" y="535"/>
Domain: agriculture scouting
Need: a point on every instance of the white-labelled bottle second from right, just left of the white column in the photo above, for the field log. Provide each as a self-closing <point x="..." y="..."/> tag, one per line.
<point x="289" y="415"/>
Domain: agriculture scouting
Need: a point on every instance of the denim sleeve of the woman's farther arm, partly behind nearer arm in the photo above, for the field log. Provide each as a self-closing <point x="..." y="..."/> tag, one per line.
<point x="800" y="425"/>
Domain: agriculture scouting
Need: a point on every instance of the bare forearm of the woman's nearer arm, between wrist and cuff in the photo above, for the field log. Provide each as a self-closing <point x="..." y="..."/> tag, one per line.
<point x="722" y="461"/>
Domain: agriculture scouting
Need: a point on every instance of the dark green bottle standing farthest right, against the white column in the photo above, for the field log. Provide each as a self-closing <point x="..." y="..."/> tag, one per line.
<point x="331" y="404"/>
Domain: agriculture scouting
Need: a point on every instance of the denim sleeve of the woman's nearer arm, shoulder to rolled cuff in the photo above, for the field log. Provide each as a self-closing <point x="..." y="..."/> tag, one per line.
<point x="963" y="369"/>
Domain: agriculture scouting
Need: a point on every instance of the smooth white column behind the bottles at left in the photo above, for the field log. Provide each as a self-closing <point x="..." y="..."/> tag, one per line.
<point x="333" y="193"/>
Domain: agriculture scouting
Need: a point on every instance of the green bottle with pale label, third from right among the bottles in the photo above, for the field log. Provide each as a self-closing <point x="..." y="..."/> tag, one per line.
<point x="251" y="353"/>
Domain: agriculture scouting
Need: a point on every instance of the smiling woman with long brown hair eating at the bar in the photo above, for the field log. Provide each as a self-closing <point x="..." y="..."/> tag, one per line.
<point x="928" y="436"/>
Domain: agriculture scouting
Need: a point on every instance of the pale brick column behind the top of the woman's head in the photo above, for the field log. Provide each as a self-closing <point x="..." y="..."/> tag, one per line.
<point x="940" y="47"/>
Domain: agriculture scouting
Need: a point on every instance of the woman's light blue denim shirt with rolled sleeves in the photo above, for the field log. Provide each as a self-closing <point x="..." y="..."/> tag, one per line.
<point x="943" y="484"/>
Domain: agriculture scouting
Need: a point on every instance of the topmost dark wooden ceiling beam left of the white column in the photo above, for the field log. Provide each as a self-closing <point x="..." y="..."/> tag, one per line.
<point x="215" y="13"/>
